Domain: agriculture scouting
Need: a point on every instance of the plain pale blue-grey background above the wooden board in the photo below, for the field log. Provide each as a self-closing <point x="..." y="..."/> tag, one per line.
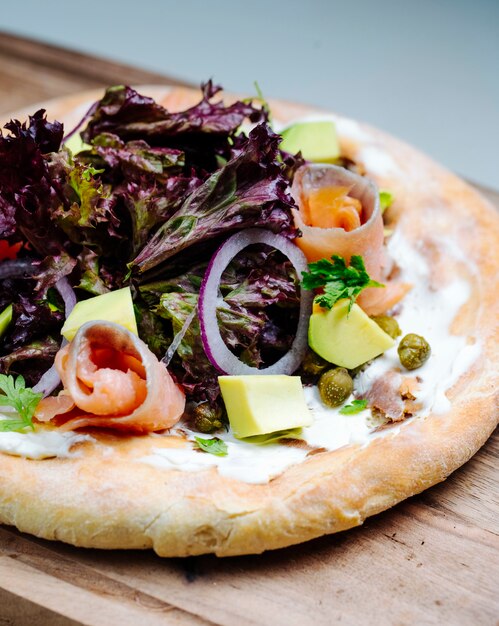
<point x="426" y="71"/>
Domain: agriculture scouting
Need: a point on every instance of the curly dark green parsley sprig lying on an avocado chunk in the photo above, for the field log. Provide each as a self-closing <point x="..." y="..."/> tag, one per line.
<point x="338" y="280"/>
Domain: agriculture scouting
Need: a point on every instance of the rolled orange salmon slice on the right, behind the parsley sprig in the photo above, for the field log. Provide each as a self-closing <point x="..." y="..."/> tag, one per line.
<point x="347" y="238"/>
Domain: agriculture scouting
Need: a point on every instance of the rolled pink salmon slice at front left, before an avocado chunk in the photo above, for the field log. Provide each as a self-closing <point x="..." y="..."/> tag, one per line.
<point x="111" y="379"/>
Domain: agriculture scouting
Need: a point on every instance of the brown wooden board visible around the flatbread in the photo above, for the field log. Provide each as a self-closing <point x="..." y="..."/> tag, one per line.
<point x="434" y="559"/>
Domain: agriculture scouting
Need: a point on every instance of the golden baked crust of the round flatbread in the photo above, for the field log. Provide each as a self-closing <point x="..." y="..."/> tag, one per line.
<point x="104" y="499"/>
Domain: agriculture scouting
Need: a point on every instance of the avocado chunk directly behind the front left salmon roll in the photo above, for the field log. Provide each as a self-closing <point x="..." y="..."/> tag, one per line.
<point x="115" y="306"/>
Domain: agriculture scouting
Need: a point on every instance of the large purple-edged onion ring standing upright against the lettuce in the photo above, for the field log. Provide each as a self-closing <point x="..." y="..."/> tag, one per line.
<point x="209" y="300"/>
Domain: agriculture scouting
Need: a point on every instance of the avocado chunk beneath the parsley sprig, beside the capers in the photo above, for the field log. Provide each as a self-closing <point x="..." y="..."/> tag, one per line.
<point x="346" y="339"/>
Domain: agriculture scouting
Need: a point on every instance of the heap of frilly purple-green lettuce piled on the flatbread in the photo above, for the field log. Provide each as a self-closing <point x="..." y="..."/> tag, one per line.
<point x="153" y="195"/>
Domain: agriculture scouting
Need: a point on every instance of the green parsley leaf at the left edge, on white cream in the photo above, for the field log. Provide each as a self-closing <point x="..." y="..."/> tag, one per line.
<point x="23" y="400"/>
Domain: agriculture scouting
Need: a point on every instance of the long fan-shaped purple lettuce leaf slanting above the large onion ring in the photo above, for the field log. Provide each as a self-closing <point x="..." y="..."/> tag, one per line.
<point x="250" y="190"/>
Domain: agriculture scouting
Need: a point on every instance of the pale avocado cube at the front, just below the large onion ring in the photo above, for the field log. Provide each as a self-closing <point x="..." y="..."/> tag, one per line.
<point x="259" y="404"/>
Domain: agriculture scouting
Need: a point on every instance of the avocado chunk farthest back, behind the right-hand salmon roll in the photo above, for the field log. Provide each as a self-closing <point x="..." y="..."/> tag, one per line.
<point x="317" y="141"/>
